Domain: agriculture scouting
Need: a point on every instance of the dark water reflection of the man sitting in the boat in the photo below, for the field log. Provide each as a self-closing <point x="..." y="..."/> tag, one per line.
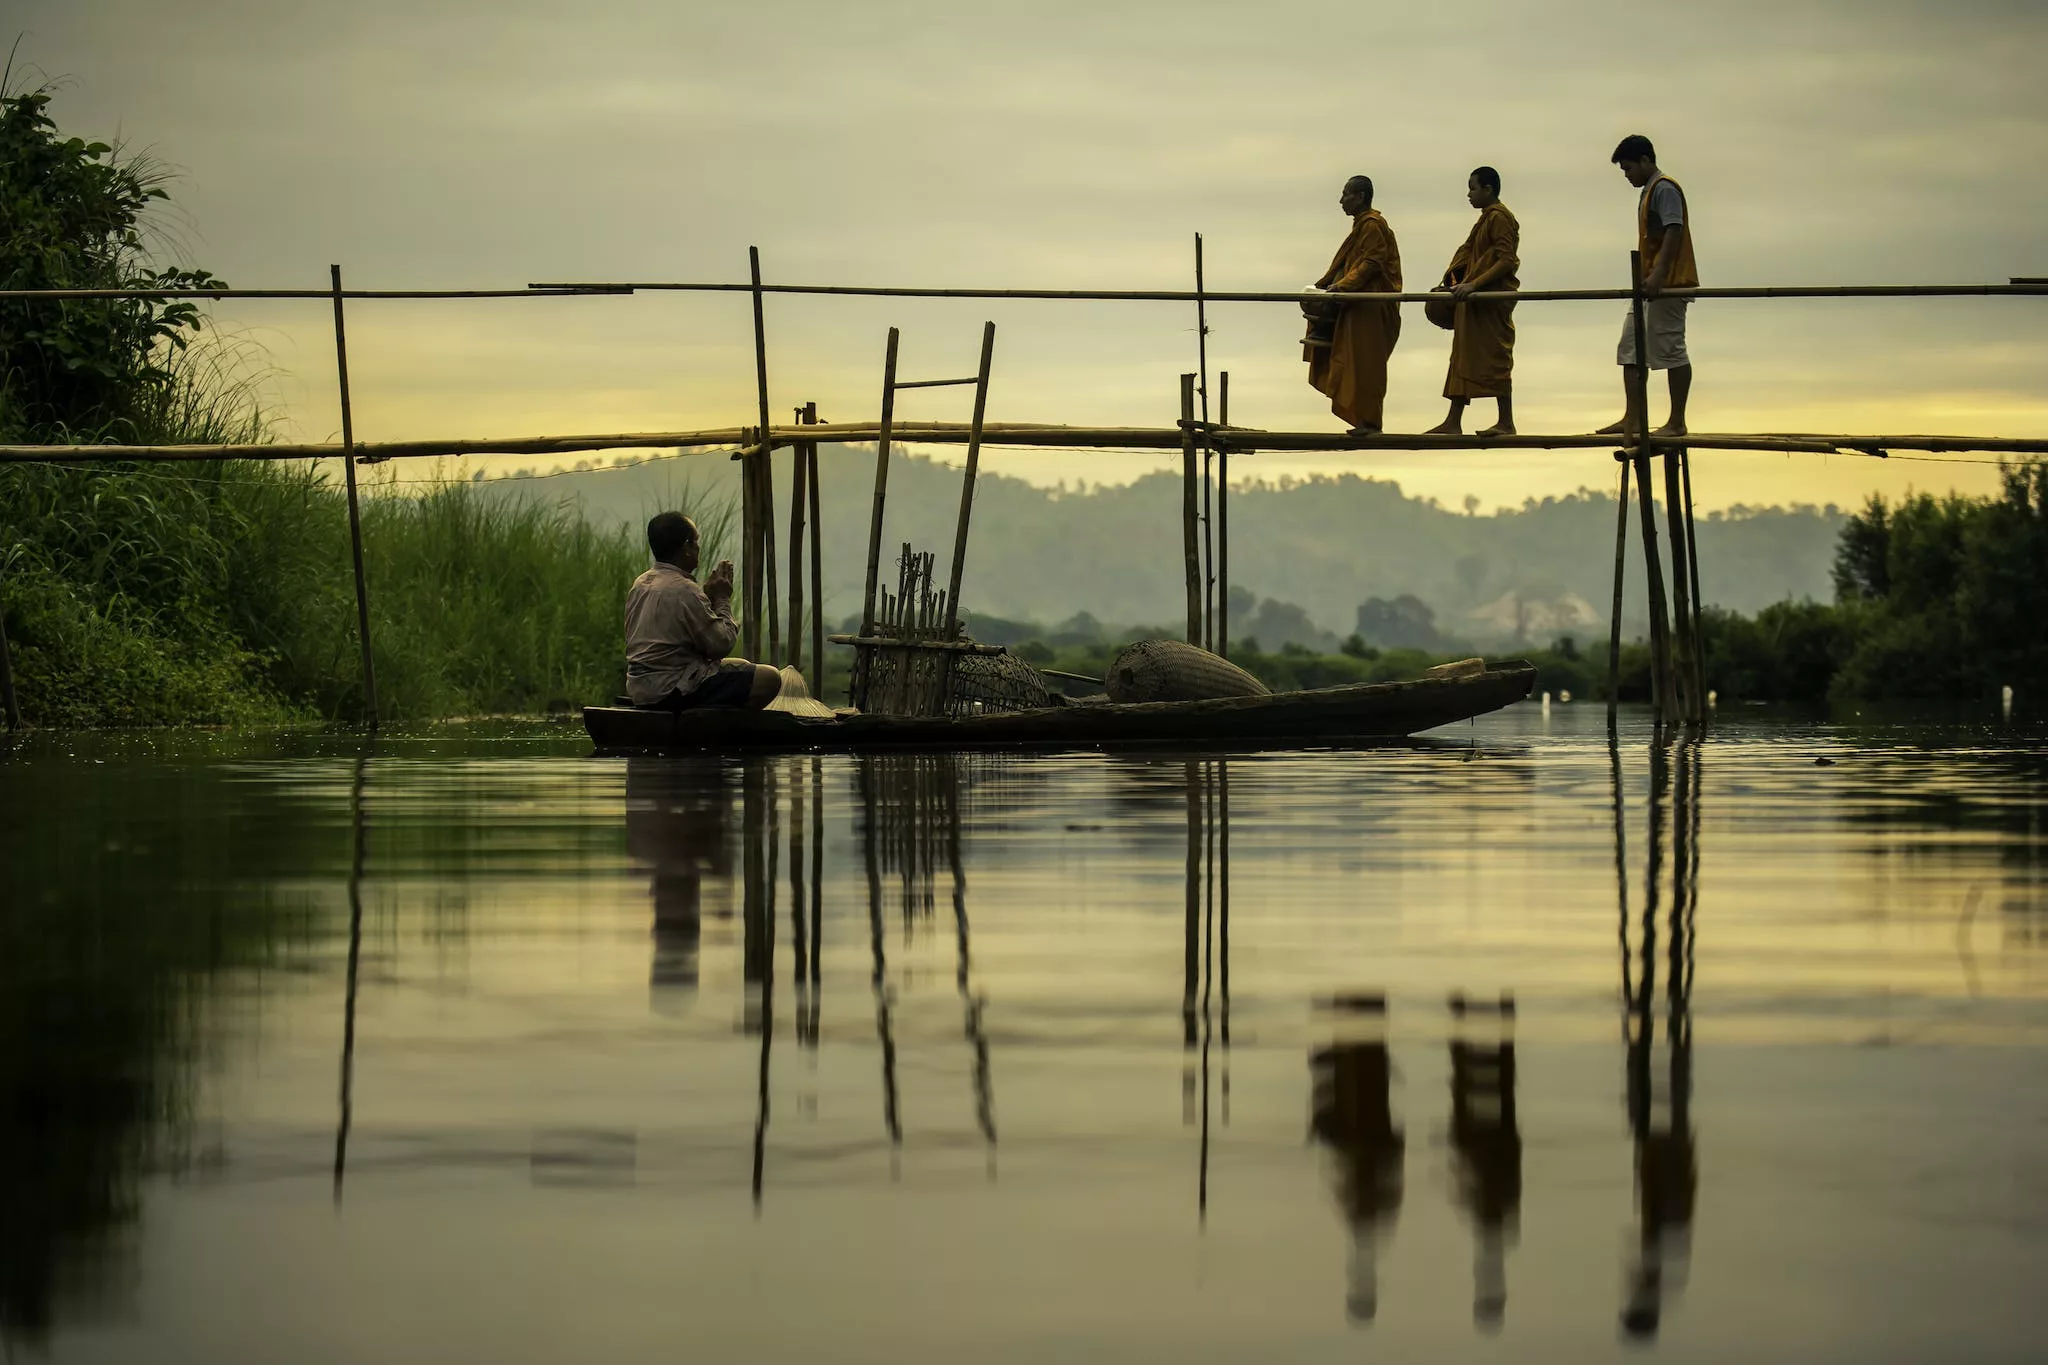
<point x="679" y="826"/>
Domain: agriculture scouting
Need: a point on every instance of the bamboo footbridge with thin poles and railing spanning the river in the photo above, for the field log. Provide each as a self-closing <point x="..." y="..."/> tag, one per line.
<point x="1676" y="652"/>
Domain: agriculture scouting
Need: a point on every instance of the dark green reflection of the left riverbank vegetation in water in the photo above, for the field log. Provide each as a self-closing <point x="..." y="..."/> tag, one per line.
<point x="110" y="957"/>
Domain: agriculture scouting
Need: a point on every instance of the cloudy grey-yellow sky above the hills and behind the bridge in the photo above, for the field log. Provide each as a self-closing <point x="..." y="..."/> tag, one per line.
<point x="1082" y="146"/>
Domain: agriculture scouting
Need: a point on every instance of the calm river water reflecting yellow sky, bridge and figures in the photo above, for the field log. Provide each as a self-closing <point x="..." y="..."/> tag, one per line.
<point x="482" y="1049"/>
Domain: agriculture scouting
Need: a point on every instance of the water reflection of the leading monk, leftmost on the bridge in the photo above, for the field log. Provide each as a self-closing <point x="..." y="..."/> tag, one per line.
<point x="1353" y="1116"/>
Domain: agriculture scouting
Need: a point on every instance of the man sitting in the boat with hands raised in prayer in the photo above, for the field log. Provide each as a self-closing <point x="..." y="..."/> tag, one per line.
<point x="679" y="631"/>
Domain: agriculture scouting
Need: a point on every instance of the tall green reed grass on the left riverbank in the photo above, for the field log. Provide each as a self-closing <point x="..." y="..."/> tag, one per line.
<point x="224" y="595"/>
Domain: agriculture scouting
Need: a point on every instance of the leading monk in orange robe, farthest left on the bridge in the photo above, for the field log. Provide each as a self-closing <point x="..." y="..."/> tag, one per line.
<point x="1351" y="369"/>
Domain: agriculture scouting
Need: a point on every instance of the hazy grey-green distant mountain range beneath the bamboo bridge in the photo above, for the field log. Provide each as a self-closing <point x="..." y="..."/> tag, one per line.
<point x="1324" y="543"/>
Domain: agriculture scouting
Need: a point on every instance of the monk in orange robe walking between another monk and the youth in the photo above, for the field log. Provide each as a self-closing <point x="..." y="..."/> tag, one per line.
<point x="1484" y="335"/>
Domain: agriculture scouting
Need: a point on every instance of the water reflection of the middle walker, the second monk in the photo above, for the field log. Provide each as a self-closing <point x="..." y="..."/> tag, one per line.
<point x="1488" y="1145"/>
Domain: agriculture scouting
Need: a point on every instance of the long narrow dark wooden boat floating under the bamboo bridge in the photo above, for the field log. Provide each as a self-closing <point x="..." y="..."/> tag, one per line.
<point x="1287" y="719"/>
